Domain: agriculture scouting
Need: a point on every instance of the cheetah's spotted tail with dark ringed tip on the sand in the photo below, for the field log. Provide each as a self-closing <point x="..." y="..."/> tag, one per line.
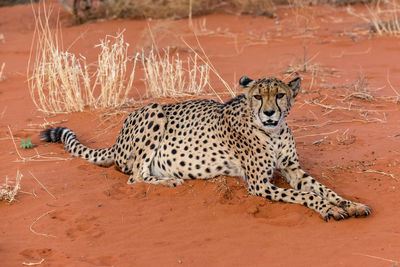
<point x="102" y="157"/>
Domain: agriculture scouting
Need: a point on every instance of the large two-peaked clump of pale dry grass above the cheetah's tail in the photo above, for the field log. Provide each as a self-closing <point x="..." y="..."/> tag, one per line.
<point x="60" y="81"/>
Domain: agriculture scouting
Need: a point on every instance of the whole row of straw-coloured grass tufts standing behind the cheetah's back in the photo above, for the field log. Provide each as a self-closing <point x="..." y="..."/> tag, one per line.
<point x="61" y="82"/>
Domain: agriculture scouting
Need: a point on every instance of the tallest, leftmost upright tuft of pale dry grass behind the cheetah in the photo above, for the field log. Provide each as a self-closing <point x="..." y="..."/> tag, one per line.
<point x="59" y="80"/>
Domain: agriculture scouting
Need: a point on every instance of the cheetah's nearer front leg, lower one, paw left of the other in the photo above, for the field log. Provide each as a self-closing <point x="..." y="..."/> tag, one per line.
<point x="311" y="200"/>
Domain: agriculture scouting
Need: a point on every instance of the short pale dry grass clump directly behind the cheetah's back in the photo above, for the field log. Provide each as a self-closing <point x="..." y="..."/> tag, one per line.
<point x="169" y="76"/>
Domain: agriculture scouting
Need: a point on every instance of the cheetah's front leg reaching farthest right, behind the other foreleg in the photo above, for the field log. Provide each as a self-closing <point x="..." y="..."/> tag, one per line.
<point x="300" y="180"/>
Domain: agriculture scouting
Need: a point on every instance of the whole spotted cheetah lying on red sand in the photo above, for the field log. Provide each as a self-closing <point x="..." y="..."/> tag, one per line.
<point x="246" y="137"/>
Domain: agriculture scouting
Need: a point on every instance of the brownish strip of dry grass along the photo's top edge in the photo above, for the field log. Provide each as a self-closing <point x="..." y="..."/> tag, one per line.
<point x="177" y="9"/>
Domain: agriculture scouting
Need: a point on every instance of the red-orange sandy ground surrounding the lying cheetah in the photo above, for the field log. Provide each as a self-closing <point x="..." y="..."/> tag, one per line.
<point x="91" y="217"/>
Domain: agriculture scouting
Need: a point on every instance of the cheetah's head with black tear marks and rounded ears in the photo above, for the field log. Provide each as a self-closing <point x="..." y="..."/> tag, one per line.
<point x="270" y="99"/>
